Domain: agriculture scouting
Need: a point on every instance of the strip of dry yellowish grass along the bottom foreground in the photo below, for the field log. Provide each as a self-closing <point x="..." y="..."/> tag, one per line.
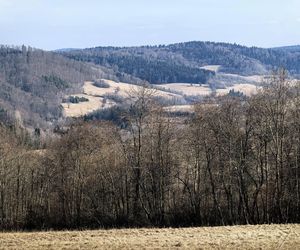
<point x="234" y="237"/>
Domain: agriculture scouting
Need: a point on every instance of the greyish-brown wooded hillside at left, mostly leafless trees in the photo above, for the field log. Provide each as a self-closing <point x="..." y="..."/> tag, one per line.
<point x="33" y="82"/>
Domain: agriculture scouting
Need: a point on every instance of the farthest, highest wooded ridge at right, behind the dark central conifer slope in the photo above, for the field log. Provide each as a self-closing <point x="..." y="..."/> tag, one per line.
<point x="238" y="59"/>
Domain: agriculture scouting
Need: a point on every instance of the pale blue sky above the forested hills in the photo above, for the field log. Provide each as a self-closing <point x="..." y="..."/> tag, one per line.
<point x="54" y="24"/>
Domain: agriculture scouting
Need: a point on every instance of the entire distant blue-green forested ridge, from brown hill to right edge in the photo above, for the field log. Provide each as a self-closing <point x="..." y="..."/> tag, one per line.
<point x="181" y="62"/>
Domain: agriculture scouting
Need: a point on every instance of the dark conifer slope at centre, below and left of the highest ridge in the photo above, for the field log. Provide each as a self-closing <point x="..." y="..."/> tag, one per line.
<point x="151" y="66"/>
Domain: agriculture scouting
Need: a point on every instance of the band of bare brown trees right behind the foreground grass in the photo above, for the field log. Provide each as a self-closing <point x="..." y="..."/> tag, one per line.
<point x="233" y="162"/>
